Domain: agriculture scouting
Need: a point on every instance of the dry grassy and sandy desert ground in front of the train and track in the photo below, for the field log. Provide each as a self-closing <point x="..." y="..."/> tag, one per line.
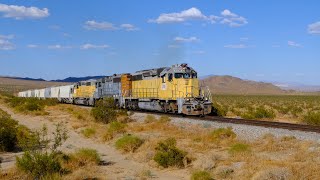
<point x="222" y="151"/>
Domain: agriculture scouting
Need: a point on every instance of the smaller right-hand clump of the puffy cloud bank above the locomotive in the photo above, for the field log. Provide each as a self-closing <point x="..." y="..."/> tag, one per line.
<point x="232" y="19"/>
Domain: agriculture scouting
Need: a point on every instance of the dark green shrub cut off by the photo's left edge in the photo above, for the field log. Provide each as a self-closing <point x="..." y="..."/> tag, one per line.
<point x="8" y="132"/>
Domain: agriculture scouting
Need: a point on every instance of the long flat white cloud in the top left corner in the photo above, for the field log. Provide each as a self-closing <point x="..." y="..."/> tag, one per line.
<point x="22" y="12"/>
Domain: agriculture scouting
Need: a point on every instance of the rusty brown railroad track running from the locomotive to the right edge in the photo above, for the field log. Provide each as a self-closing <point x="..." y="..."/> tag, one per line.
<point x="261" y="123"/>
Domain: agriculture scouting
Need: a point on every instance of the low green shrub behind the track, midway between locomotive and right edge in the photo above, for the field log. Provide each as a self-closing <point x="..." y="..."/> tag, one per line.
<point x="259" y="113"/>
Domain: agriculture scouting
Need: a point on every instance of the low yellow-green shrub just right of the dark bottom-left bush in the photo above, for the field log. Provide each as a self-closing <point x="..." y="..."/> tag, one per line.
<point x="83" y="157"/>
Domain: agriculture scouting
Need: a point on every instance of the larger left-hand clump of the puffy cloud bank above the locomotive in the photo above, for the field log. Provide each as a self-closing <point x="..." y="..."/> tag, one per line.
<point x="189" y="14"/>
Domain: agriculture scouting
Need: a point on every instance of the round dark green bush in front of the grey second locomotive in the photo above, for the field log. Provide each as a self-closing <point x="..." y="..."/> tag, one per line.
<point x="104" y="111"/>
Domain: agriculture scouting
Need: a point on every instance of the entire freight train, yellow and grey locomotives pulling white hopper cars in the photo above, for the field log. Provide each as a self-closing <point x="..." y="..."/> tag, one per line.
<point x="172" y="89"/>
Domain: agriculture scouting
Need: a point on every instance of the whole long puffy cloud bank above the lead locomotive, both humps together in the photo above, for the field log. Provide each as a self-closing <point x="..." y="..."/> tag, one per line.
<point x="226" y="17"/>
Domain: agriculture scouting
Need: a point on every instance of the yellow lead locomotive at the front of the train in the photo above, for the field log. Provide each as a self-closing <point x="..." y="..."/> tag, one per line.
<point x="172" y="89"/>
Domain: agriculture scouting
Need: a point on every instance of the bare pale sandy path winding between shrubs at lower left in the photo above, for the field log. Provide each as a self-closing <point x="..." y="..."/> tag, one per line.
<point x="119" y="165"/>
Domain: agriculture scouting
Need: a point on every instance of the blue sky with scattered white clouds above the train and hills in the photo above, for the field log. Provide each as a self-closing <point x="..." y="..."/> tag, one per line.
<point x="257" y="40"/>
